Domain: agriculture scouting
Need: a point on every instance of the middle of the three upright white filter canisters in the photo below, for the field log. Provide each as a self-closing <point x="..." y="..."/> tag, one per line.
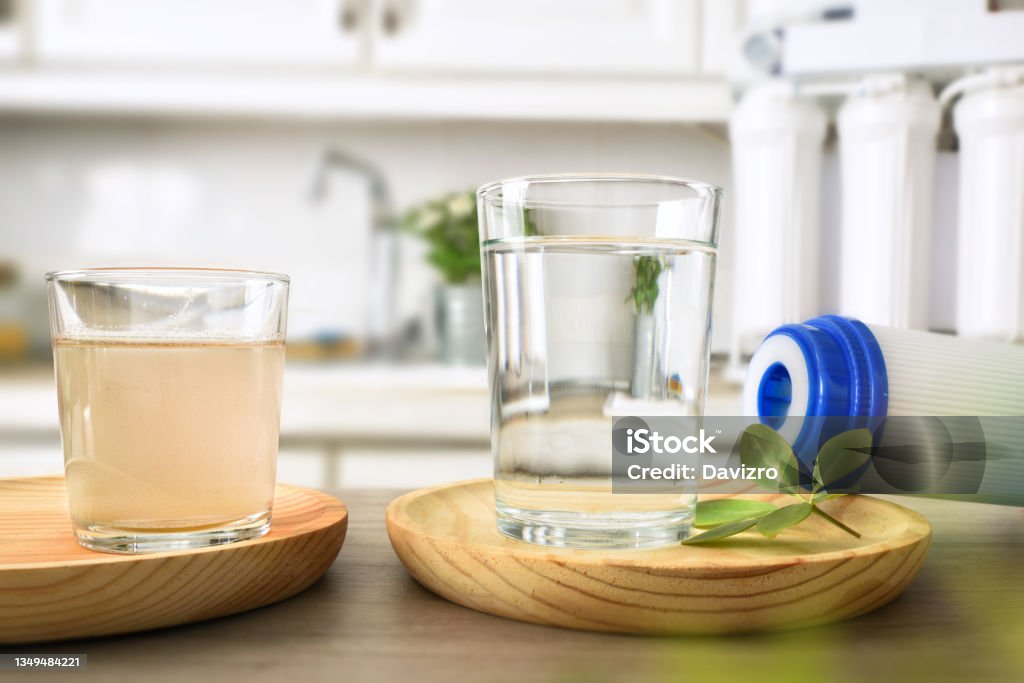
<point x="887" y="149"/>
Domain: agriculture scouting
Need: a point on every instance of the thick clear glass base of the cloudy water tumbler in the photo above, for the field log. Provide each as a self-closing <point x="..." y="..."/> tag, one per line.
<point x="132" y="542"/>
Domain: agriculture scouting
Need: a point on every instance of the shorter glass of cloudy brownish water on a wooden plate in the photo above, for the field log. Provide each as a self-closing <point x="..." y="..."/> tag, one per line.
<point x="169" y="392"/>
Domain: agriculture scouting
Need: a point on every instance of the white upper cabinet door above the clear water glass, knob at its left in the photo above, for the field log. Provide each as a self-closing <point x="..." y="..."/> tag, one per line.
<point x="607" y="37"/>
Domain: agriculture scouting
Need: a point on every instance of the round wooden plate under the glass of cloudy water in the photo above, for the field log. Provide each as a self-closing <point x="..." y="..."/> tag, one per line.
<point x="54" y="589"/>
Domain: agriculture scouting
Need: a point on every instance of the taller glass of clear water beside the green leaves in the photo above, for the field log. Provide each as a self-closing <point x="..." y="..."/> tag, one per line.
<point x="599" y="294"/>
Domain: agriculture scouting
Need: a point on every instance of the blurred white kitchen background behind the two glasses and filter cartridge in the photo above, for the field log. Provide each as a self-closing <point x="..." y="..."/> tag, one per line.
<point x="294" y="136"/>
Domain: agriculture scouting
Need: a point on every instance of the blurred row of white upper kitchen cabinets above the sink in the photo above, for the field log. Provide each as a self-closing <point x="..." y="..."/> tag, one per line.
<point x="636" y="61"/>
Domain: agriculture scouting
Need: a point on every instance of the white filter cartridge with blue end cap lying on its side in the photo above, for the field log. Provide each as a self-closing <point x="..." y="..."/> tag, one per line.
<point x="934" y="393"/>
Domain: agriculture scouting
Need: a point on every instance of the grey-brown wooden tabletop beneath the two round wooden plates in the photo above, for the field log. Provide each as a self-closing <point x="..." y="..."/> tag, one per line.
<point x="963" y="619"/>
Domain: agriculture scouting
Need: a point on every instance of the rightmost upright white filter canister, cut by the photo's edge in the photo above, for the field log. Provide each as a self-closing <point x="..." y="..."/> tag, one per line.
<point x="990" y="122"/>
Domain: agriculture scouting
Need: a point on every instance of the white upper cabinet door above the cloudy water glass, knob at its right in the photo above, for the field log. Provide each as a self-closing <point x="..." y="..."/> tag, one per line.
<point x="206" y="33"/>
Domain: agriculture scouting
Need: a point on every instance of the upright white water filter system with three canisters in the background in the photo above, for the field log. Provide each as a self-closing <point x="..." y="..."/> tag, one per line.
<point x="873" y="66"/>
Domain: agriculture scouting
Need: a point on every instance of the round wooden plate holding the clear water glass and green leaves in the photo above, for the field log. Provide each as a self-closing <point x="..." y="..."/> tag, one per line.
<point x="813" y="574"/>
